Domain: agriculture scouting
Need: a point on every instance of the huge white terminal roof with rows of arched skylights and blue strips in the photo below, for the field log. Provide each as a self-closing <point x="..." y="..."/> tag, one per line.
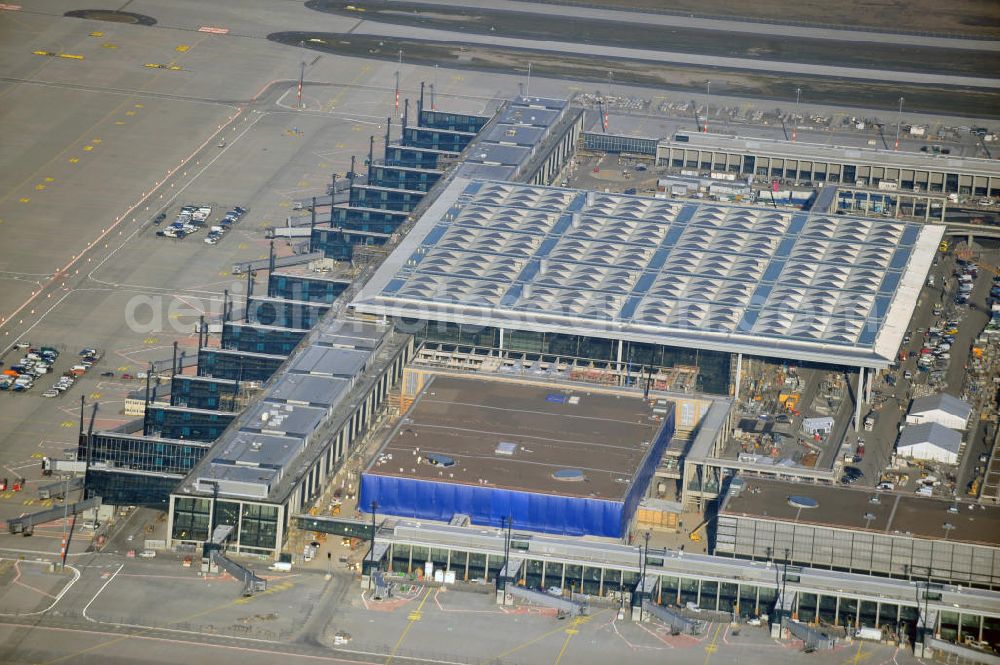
<point x="766" y="281"/>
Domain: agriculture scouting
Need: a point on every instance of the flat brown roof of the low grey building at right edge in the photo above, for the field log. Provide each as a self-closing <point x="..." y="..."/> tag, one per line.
<point x="846" y="507"/>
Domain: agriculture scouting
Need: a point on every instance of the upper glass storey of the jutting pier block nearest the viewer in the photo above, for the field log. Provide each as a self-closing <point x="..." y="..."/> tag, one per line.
<point x="141" y="453"/>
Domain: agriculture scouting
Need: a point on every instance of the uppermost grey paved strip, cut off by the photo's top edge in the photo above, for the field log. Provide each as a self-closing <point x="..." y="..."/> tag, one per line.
<point x="724" y="25"/>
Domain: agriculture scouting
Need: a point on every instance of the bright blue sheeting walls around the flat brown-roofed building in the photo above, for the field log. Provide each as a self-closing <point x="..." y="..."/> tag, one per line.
<point x="489" y="506"/>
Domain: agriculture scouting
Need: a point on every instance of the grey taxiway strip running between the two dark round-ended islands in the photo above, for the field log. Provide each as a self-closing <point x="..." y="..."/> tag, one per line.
<point x="594" y="50"/>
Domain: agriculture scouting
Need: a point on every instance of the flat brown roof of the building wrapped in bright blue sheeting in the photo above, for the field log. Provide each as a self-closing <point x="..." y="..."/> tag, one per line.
<point x="548" y="429"/>
